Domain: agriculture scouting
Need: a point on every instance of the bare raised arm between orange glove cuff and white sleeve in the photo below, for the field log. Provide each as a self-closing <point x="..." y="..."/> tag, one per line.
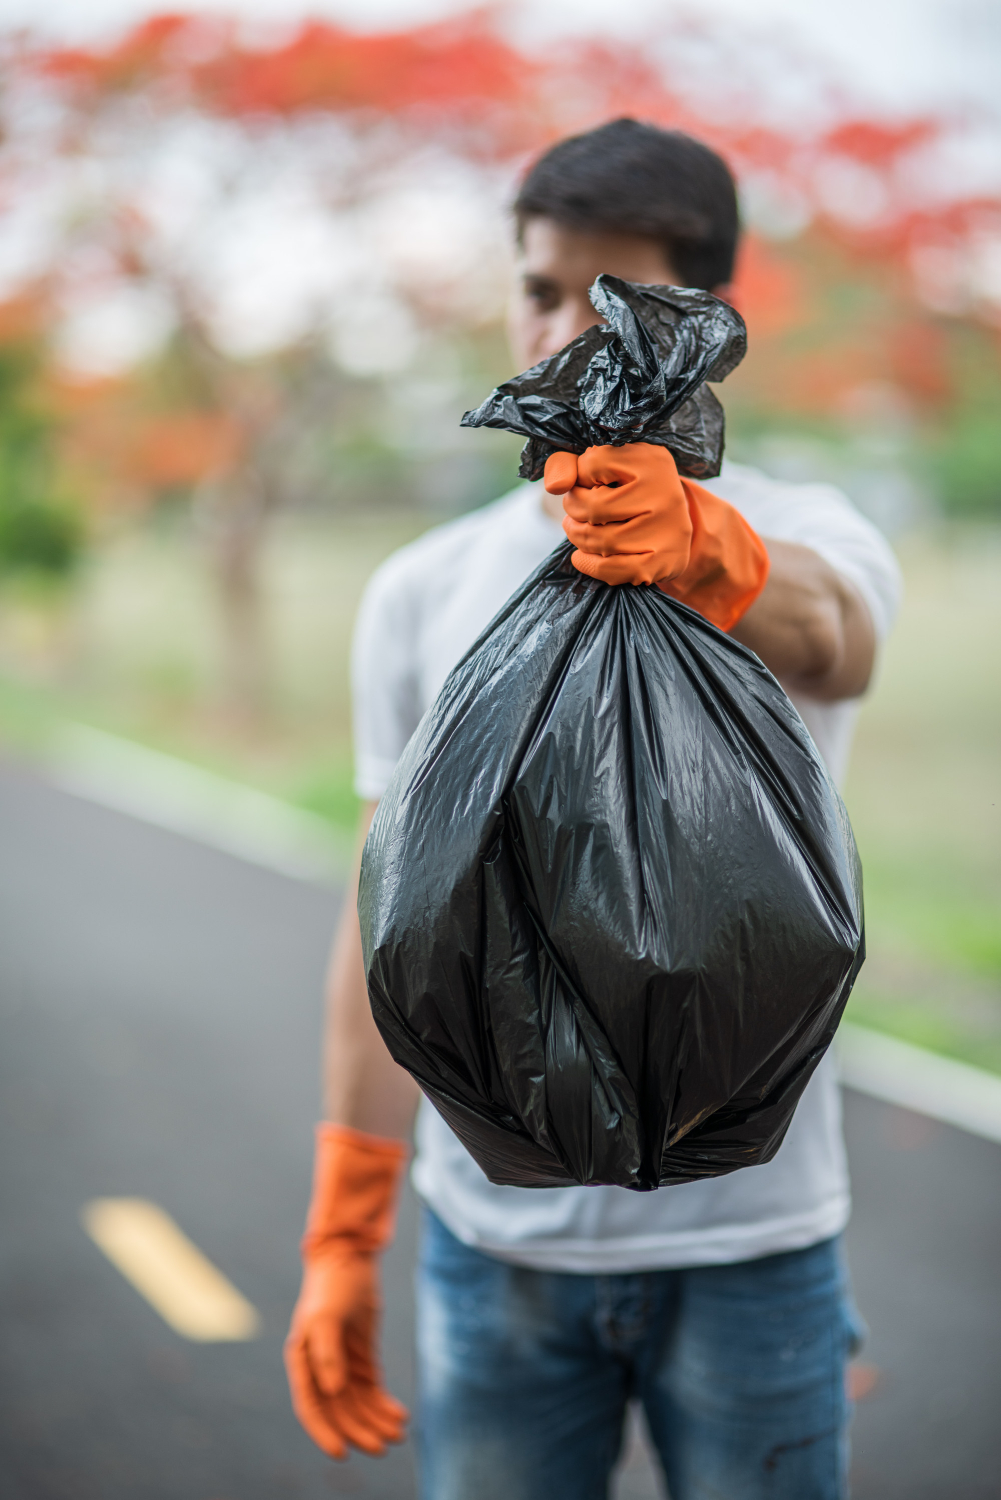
<point x="810" y="626"/>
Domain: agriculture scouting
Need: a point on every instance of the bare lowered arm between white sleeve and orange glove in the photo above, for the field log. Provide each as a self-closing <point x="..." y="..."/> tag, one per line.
<point x="364" y="1087"/>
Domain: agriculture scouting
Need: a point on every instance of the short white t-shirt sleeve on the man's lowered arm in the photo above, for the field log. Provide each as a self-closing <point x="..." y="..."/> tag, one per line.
<point x="385" y="688"/>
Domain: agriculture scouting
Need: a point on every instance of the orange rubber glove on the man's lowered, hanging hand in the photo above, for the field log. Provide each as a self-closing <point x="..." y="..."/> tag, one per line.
<point x="331" y="1352"/>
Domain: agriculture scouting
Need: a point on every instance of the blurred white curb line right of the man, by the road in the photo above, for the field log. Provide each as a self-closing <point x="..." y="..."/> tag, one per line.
<point x="921" y="1081"/>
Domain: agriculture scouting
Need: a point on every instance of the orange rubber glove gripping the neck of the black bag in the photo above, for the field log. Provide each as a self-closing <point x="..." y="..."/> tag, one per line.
<point x="634" y="520"/>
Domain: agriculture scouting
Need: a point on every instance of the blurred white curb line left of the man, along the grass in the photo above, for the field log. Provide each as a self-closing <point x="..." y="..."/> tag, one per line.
<point x="200" y="805"/>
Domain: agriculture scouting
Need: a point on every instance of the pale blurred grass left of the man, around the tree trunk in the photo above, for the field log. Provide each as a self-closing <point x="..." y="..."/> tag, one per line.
<point x="134" y="647"/>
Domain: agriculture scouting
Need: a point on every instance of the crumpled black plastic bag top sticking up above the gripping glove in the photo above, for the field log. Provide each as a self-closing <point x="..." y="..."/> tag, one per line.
<point x="636" y="379"/>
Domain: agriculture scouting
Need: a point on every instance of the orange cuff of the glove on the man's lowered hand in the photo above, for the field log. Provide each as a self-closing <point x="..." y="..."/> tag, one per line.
<point x="355" y="1190"/>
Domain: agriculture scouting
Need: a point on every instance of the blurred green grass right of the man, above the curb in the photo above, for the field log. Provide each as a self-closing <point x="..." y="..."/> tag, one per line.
<point x="925" y="799"/>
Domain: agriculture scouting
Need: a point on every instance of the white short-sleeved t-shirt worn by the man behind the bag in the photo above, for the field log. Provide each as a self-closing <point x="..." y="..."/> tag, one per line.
<point x="421" y="611"/>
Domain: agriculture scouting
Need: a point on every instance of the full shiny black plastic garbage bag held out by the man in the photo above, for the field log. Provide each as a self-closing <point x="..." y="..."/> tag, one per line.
<point x="612" y="904"/>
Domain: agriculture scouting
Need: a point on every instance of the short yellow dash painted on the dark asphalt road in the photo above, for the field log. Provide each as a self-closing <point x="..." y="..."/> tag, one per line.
<point x="169" y="1271"/>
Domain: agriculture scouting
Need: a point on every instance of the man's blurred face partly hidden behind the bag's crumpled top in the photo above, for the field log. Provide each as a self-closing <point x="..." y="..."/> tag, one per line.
<point x="556" y="266"/>
